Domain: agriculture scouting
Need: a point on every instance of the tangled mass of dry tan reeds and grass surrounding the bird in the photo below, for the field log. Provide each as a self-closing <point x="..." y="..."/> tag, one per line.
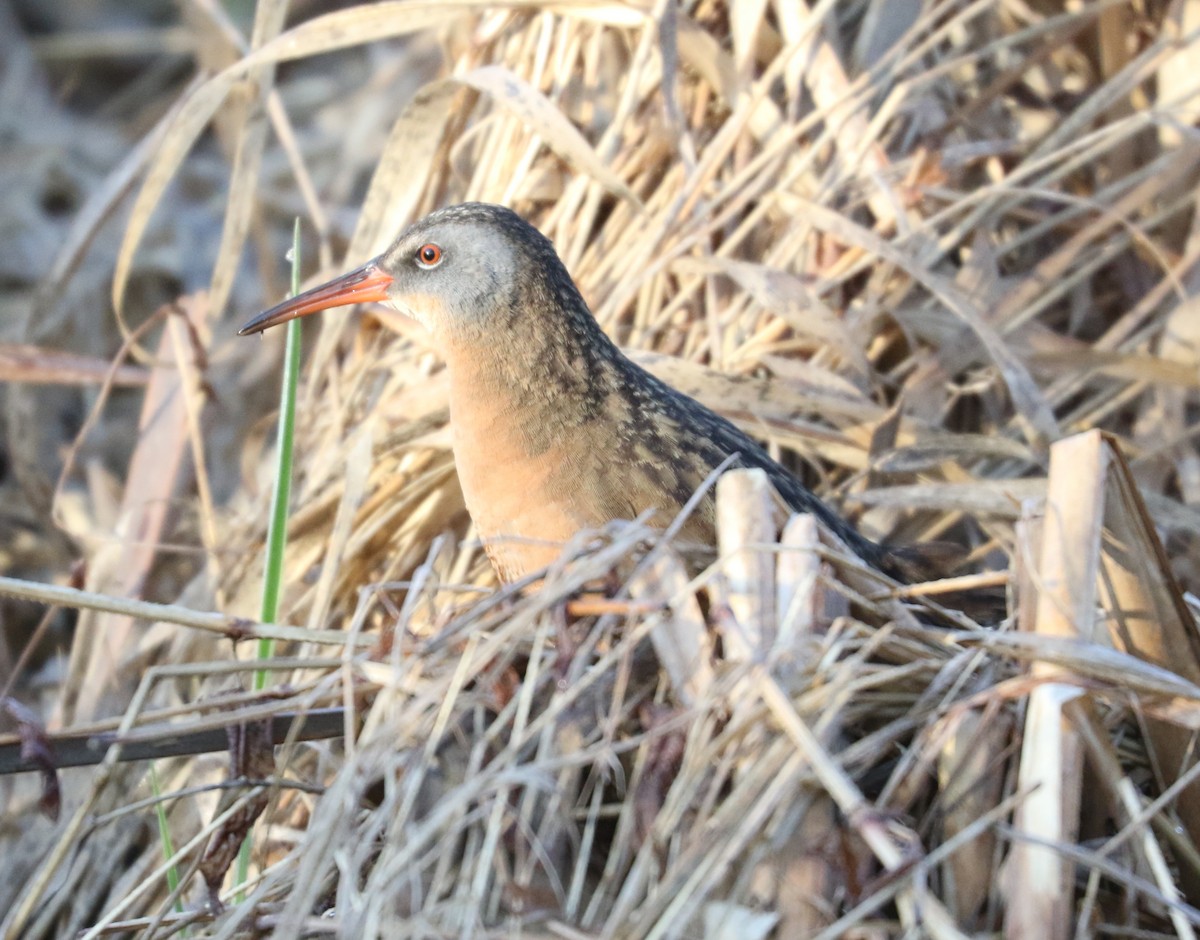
<point x="943" y="256"/>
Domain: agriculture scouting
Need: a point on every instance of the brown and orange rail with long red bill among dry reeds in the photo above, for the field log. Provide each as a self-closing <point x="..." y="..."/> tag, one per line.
<point x="555" y="430"/>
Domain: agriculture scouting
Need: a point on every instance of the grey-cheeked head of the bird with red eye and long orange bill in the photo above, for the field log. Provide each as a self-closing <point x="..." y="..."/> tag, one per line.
<point x="458" y="272"/>
